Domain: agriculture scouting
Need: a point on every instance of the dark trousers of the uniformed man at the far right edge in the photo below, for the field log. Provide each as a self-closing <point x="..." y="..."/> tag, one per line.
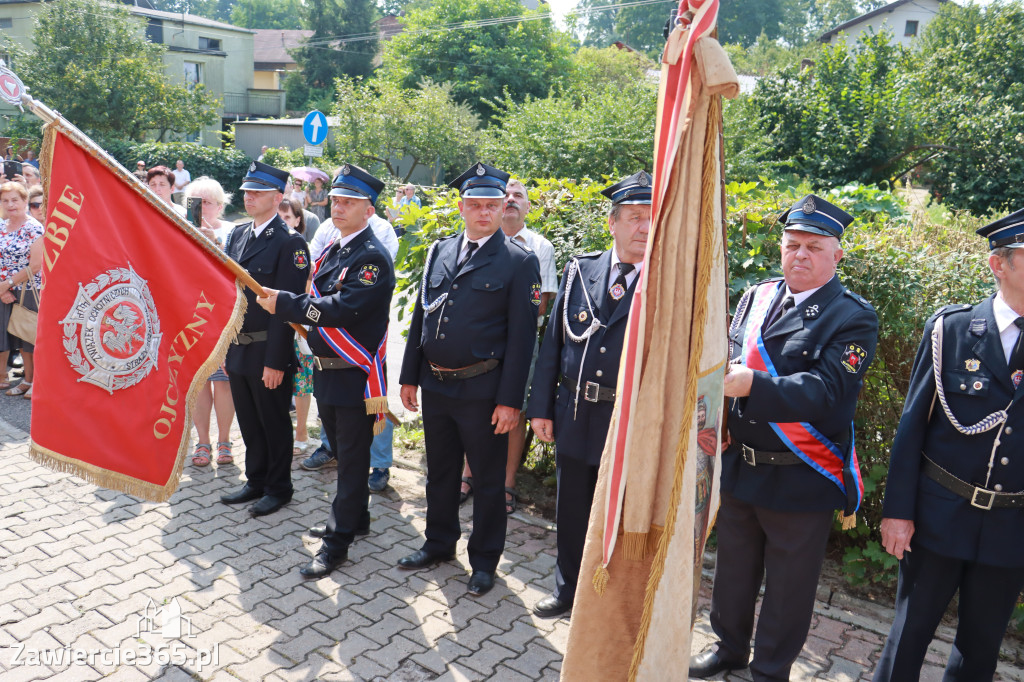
<point x="927" y="583"/>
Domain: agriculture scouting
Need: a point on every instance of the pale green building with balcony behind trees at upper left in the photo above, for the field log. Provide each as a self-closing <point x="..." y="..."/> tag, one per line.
<point x="199" y="51"/>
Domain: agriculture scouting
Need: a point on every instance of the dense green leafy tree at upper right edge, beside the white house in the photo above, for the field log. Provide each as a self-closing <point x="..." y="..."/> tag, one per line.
<point x="969" y="91"/>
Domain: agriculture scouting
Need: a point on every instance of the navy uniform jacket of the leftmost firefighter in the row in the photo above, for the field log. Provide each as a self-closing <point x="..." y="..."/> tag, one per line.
<point x="278" y="259"/>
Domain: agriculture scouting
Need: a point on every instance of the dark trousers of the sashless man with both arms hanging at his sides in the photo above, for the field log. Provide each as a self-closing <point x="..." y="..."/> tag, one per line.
<point x="452" y="428"/>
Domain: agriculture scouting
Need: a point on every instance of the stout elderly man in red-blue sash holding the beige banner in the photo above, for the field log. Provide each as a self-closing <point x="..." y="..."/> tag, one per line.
<point x="800" y="349"/>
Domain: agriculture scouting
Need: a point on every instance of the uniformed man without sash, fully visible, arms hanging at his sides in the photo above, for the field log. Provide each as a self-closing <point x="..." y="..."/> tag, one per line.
<point x="471" y="346"/>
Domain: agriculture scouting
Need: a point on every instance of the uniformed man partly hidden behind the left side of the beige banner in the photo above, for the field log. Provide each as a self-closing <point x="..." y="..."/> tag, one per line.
<point x="574" y="390"/>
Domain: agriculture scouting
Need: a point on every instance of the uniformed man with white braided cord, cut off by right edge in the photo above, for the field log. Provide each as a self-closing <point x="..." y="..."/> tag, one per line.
<point x="955" y="494"/>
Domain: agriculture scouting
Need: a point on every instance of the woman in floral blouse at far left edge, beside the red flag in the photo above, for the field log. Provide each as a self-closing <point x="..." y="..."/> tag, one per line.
<point x="21" y="260"/>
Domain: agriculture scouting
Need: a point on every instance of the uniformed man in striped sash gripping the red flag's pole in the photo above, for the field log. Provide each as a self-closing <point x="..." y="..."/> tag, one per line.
<point x="350" y="308"/>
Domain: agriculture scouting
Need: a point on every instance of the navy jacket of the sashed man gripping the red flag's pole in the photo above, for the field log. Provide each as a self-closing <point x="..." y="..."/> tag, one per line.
<point x="362" y="306"/>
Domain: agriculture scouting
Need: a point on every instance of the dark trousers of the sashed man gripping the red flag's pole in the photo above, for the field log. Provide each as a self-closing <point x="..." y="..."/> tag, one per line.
<point x="351" y="431"/>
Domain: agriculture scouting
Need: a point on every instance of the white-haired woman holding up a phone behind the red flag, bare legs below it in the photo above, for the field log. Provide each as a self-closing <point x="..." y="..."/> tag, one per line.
<point x="218" y="394"/>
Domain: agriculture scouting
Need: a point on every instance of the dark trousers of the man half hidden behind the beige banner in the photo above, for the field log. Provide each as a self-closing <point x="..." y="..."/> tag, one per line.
<point x="577" y="482"/>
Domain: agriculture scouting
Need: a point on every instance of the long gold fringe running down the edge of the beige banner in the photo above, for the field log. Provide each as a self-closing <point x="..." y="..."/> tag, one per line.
<point x="705" y="263"/>
